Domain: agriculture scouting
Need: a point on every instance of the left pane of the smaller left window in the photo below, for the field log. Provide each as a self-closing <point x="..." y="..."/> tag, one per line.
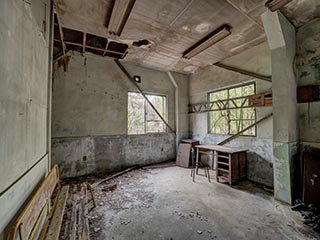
<point x="135" y="113"/>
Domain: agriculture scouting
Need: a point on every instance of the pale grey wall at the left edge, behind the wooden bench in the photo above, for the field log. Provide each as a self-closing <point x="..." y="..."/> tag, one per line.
<point x="24" y="66"/>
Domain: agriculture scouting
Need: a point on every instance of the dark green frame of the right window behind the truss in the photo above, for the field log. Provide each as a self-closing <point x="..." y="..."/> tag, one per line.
<point x="229" y="88"/>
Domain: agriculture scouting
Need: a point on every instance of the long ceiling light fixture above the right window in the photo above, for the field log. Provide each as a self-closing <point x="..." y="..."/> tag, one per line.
<point x="212" y="38"/>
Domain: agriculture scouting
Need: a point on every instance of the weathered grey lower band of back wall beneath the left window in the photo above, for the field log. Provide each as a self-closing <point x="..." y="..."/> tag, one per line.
<point x="100" y="154"/>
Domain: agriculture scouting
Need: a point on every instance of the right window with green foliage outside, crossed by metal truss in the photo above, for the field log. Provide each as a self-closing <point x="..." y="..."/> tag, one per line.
<point x="231" y="113"/>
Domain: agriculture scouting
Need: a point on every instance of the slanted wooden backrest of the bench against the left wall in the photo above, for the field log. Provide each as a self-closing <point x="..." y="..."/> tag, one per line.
<point x="31" y="212"/>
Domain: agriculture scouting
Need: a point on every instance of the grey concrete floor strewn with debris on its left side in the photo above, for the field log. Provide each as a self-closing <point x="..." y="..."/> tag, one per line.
<point x="164" y="203"/>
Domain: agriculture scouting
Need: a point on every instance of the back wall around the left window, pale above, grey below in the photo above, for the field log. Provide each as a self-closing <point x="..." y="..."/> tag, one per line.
<point x="89" y="118"/>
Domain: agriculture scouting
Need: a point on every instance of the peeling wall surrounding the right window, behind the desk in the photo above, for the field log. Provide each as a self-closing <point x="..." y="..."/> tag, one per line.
<point x="260" y="166"/>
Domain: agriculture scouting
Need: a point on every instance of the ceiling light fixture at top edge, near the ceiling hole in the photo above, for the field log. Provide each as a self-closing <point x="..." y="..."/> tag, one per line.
<point x="119" y="16"/>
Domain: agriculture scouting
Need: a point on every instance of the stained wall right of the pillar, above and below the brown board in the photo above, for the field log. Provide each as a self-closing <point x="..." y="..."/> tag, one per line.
<point x="308" y="73"/>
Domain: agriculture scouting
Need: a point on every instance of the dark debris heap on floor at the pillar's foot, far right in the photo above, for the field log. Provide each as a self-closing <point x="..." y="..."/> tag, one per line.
<point x="310" y="213"/>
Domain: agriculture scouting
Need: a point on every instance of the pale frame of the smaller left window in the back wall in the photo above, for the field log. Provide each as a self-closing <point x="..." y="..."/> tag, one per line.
<point x="145" y="107"/>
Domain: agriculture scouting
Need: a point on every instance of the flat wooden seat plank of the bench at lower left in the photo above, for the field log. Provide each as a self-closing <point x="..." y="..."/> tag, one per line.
<point x="55" y="224"/>
